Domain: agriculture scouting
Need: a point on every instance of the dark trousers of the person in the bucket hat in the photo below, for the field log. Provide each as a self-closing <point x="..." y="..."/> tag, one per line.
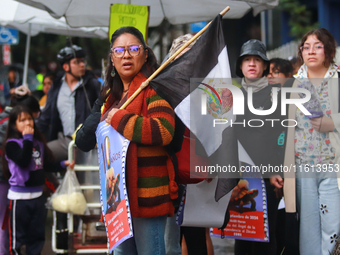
<point x="261" y="248"/>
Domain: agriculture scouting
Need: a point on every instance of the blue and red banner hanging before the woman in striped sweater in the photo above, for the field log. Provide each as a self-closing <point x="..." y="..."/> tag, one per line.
<point x="112" y="148"/>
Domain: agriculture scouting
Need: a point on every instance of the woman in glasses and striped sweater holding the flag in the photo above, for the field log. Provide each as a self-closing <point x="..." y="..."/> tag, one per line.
<point x="148" y="122"/>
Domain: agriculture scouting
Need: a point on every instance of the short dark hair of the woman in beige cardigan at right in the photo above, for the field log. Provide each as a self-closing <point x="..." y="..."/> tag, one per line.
<point x="327" y="40"/>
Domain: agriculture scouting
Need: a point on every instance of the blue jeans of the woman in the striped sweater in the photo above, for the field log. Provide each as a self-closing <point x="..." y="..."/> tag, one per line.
<point x="148" y="237"/>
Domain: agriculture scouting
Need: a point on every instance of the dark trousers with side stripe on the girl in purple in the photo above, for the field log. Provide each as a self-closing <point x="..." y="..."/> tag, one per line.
<point x="27" y="225"/>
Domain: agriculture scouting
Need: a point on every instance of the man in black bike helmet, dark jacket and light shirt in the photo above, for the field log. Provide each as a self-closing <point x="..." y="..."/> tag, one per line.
<point x="69" y="100"/>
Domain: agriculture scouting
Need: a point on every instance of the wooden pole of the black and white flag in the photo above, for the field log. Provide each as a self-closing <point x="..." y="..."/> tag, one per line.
<point x="146" y="83"/>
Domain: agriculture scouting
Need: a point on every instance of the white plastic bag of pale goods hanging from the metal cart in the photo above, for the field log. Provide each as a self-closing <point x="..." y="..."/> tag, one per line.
<point x="68" y="197"/>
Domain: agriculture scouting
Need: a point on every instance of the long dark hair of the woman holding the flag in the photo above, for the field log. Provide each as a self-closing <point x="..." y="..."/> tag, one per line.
<point x="115" y="84"/>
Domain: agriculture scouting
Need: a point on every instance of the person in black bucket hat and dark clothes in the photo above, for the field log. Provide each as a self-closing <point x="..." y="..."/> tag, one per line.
<point x="259" y="142"/>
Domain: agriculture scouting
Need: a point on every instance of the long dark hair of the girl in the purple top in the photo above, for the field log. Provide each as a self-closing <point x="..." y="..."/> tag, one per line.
<point x="12" y="132"/>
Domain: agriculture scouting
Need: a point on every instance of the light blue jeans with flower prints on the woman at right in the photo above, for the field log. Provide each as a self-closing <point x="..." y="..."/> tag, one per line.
<point x="318" y="200"/>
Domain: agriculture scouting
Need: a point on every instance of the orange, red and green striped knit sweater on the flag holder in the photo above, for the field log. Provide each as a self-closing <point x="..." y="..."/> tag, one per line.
<point x="150" y="172"/>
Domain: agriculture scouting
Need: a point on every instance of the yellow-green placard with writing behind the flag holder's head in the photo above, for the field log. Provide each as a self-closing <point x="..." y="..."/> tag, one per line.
<point x="129" y="15"/>
